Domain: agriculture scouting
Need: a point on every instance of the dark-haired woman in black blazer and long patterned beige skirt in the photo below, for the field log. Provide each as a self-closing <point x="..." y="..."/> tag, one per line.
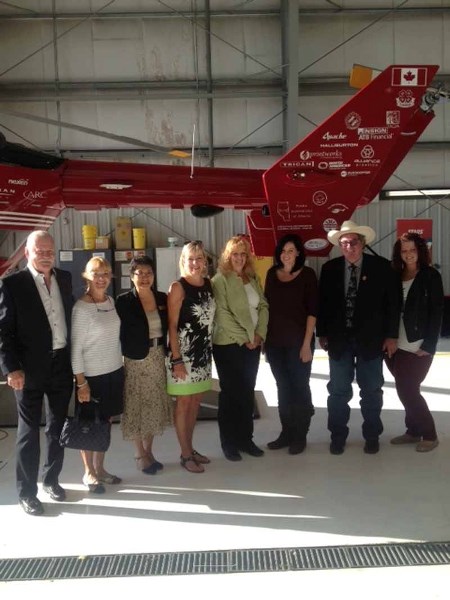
<point x="143" y="335"/>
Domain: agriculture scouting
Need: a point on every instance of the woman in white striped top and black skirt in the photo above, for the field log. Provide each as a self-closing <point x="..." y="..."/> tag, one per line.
<point x="97" y="362"/>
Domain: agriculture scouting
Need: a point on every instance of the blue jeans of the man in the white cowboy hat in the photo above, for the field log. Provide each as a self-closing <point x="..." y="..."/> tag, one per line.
<point x="369" y="376"/>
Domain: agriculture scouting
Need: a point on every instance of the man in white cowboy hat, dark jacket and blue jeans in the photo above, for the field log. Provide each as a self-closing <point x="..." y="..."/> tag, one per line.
<point x="358" y="320"/>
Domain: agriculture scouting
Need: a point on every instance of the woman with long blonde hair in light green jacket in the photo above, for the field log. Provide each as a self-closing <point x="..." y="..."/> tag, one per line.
<point x="240" y="327"/>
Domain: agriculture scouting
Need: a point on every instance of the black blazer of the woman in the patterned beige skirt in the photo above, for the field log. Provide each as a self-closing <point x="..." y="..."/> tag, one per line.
<point x="134" y="330"/>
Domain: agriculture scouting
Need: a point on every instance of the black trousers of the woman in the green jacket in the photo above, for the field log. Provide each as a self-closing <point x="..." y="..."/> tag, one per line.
<point x="237" y="367"/>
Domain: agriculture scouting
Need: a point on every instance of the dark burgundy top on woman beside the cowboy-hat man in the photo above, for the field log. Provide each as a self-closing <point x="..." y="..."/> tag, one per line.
<point x="290" y="303"/>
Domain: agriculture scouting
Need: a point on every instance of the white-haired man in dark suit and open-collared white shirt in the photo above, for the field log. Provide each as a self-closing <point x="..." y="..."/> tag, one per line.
<point x="35" y="312"/>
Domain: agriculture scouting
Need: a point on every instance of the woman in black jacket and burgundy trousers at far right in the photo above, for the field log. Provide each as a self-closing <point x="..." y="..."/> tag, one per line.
<point x="423" y="302"/>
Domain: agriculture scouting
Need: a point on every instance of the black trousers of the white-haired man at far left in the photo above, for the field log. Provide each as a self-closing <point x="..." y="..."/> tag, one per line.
<point x="58" y="389"/>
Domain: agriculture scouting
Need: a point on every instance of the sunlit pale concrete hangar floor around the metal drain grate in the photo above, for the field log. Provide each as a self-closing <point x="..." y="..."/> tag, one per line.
<point x="314" y="499"/>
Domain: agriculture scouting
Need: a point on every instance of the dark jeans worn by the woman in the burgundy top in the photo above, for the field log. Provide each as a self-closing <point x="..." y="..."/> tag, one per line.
<point x="295" y="406"/>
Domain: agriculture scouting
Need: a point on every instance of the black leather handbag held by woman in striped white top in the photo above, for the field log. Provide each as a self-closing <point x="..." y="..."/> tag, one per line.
<point x="83" y="433"/>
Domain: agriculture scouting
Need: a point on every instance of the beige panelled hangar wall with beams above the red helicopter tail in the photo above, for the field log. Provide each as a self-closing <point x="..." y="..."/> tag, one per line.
<point x="238" y="80"/>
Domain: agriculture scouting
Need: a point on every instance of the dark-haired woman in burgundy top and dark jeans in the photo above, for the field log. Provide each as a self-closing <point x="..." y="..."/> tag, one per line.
<point x="292" y="293"/>
